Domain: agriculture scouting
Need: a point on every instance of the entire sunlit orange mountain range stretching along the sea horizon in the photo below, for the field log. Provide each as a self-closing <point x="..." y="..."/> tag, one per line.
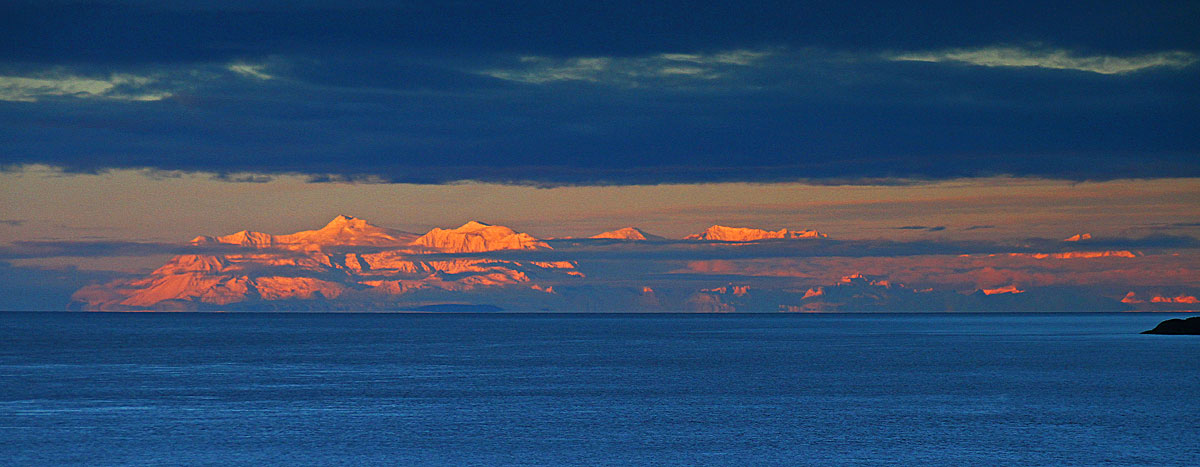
<point x="352" y="265"/>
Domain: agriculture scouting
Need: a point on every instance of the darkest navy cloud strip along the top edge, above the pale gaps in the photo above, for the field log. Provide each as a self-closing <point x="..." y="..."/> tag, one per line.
<point x="98" y="32"/>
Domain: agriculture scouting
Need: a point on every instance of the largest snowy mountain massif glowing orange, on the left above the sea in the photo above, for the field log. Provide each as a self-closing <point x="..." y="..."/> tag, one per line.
<point x="313" y="265"/>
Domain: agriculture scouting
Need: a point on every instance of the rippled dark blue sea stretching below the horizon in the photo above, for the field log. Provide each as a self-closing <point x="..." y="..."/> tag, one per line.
<point x="617" y="390"/>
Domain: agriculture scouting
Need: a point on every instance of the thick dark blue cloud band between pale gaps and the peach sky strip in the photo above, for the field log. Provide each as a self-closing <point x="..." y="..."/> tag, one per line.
<point x="590" y="134"/>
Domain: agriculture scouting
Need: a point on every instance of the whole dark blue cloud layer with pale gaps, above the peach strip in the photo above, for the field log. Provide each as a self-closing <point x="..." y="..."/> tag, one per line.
<point x="584" y="93"/>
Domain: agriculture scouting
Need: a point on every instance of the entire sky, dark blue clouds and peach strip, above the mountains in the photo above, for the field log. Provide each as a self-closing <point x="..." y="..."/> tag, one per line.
<point x="157" y="122"/>
